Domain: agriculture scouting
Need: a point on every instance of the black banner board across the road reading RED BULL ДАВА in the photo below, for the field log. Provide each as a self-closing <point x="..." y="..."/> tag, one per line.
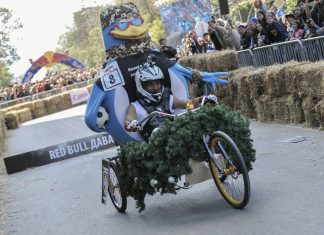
<point x="58" y="152"/>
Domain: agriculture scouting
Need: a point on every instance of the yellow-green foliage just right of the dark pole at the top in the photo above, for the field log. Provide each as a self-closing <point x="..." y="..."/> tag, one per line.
<point x="242" y="11"/>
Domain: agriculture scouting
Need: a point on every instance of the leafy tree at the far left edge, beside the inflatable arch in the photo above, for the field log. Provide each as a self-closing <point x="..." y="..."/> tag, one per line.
<point x="8" y="53"/>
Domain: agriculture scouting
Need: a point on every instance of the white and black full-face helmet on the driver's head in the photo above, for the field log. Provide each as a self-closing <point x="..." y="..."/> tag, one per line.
<point x="149" y="72"/>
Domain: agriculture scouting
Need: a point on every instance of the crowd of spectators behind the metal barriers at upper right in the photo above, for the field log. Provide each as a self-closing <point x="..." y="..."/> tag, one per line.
<point x="265" y="28"/>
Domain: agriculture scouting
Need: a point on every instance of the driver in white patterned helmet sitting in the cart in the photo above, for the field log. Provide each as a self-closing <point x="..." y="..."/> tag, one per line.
<point x="153" y="96"/>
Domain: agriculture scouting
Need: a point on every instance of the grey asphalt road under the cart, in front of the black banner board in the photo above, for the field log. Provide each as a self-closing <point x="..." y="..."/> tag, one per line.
<point x="287" y="196"/>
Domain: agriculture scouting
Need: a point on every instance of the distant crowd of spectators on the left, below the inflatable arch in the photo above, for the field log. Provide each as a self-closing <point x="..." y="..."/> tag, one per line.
<point x="49" y="82"/>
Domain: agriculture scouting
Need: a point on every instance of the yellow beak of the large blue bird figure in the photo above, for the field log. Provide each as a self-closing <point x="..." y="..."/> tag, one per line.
<point x="132" y="32"/>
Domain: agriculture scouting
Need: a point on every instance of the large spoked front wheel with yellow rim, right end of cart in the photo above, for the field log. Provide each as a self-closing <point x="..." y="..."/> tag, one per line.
<point x="229" y="170"/>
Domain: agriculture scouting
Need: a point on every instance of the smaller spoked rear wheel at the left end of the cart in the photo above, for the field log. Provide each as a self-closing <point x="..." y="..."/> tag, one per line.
<point x="116" y="190"/>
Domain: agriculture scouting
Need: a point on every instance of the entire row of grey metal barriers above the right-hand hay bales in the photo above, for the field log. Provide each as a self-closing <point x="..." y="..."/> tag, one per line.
<point x="300" y="50"/>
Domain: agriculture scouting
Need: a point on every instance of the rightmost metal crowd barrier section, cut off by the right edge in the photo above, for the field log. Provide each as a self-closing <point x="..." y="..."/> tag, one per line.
<point x="315" y="48"/>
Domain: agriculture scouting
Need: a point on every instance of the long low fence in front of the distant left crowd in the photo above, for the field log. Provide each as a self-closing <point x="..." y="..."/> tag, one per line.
<point x="46" y="94"/>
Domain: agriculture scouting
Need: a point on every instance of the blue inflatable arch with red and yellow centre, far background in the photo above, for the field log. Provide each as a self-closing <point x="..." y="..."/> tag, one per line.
<point x="49" y="59"/>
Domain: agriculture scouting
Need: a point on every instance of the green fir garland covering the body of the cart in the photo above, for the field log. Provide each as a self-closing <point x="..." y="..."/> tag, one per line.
<point x="169" y="150"/>
